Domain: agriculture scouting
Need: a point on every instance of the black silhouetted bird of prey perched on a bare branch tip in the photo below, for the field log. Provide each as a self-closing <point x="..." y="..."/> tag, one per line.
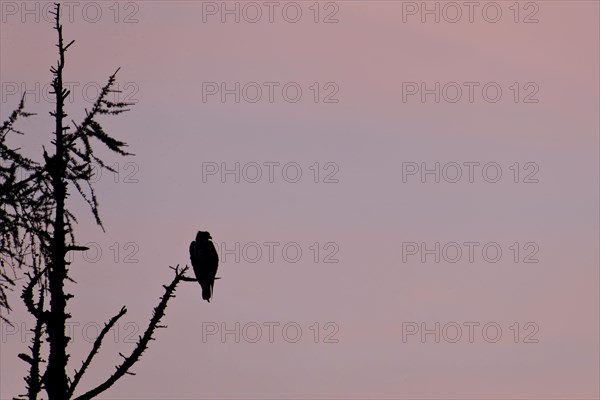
<point x="205" y="261"/>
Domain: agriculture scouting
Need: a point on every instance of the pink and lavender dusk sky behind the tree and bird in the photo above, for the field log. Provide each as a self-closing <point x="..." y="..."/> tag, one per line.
<point x="160" y="200"/>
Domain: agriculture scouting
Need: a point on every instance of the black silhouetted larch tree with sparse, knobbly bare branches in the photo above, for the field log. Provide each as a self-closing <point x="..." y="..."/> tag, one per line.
<point x="37" y="233"/>
